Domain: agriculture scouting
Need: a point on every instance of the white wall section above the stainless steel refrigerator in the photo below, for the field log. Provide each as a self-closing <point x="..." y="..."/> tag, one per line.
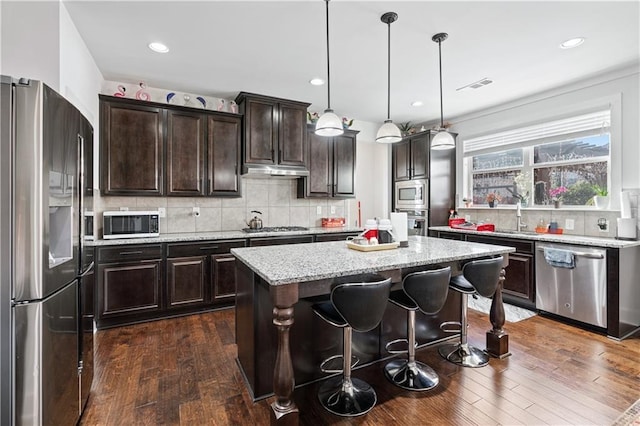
<point x="30" y="41"/>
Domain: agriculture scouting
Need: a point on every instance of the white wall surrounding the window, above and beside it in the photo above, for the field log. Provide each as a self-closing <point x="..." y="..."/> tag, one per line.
<point x="621" y="88"/>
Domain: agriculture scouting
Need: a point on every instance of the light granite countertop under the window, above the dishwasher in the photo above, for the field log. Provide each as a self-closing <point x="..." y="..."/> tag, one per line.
<point x="552" y="238"/>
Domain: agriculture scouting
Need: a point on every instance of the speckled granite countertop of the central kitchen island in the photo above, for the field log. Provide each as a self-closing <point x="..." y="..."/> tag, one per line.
<point x="288" y="264"/>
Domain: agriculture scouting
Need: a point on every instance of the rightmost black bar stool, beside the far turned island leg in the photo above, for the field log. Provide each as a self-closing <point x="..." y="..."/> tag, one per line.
<point x="481" y="277"/>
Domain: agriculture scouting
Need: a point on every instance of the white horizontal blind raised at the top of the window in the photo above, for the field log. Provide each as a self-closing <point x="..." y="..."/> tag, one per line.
<point x="554" y="131"/>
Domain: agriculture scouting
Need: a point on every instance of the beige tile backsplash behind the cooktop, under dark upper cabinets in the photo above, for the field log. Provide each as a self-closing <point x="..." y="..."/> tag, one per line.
<point x="275" y="198"/>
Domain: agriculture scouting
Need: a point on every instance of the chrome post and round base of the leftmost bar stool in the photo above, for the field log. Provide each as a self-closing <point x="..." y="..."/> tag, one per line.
<point x="346" y="396"/>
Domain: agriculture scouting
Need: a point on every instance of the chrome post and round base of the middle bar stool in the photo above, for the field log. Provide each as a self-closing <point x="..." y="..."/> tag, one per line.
<point x="408" y="373"/>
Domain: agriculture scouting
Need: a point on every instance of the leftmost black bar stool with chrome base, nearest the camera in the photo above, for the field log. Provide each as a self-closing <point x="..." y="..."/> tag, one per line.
<point x="359" y="305"/>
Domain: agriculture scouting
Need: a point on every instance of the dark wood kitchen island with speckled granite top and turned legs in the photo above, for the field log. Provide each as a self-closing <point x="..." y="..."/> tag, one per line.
<point x="276" y="284"/>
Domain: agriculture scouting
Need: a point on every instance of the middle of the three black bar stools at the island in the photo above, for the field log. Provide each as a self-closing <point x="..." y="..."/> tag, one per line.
<point x="425" y="291"/>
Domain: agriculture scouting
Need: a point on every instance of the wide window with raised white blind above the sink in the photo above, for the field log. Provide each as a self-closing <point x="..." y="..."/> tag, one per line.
<point x="566" y="160"/>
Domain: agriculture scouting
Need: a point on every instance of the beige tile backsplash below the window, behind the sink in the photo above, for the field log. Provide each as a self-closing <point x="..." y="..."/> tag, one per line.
<point x="585" y="222"/>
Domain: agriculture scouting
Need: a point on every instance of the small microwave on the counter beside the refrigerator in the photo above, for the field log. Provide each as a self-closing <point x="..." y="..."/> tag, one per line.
<point x="130" y="224"/>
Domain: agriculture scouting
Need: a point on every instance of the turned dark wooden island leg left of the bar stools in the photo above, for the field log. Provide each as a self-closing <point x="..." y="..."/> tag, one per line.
<point x="284" y="410"/>
